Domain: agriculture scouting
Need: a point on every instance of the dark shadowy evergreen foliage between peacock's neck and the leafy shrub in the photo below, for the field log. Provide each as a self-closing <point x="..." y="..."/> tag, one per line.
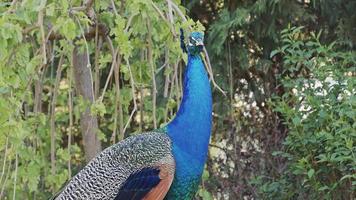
<point x="242" y="36"/>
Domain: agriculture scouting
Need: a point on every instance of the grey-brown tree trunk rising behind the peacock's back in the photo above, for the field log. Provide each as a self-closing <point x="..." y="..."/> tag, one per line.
<point x="84" y="88"/>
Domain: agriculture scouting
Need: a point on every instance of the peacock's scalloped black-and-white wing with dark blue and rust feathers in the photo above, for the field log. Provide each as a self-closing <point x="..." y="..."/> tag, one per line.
<point x="139" y="167"/>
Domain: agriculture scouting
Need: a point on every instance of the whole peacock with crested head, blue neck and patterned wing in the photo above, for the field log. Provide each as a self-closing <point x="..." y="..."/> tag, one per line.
<point x="166" y="163"/>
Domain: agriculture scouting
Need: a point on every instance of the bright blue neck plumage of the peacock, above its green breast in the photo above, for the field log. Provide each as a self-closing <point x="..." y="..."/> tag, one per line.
<point x="190" y="129"/>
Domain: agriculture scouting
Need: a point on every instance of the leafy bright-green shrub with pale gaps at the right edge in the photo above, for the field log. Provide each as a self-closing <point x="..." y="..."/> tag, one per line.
<point x="319" y="109"/>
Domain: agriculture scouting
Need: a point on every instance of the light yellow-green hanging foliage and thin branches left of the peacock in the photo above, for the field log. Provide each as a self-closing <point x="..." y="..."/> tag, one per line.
<point x="135" y="58"/>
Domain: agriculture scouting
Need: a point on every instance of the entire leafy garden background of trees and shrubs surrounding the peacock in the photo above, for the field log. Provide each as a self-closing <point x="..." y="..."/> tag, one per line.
<point x="78" y="76"/>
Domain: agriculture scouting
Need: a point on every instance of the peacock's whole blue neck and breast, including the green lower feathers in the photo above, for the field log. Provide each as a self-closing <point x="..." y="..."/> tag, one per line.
<point x="190" y="131"/>
